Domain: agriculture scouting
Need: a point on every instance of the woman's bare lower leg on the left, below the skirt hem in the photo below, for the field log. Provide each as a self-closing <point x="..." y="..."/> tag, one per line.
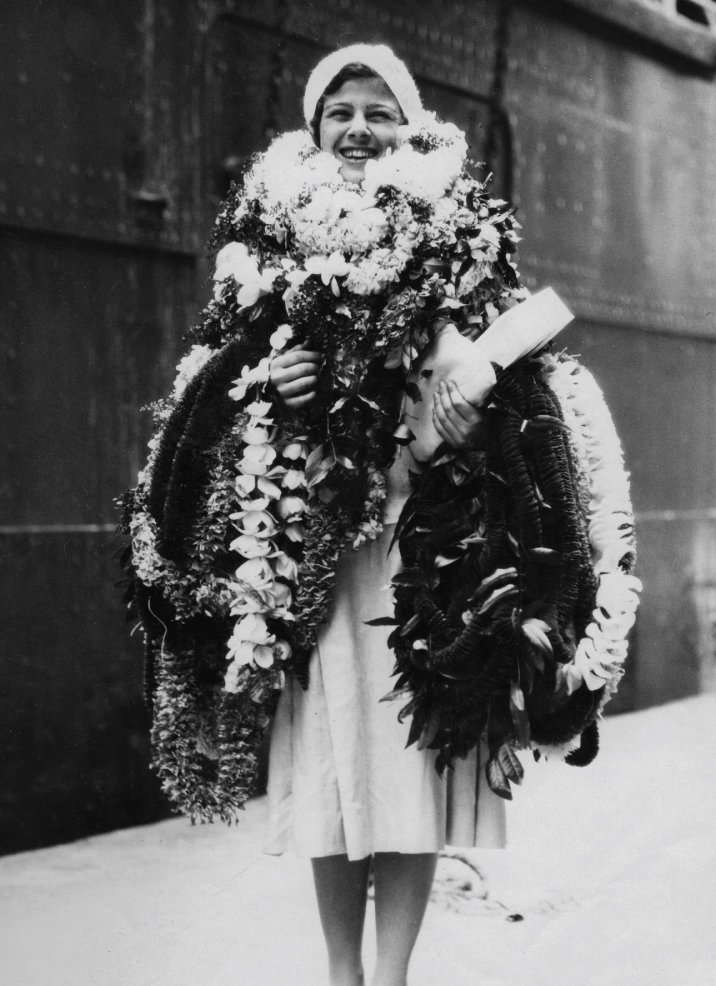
<point x="341" y="889"/>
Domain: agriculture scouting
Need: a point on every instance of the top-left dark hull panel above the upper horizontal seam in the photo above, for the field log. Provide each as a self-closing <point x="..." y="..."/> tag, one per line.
<point x="95" y="143"/>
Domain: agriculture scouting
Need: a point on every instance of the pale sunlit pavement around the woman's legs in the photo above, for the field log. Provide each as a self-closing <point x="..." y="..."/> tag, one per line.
<point x="612" y="869"/>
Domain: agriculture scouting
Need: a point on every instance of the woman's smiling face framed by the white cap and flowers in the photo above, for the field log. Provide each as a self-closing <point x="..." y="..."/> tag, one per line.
<point x="359" y="122"/>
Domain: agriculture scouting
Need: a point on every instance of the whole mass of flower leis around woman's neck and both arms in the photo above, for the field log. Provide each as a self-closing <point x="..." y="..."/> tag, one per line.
<point x="515" y="594"/>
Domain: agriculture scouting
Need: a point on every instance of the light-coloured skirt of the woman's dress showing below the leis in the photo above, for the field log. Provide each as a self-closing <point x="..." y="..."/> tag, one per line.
<point x="341" y="779"/>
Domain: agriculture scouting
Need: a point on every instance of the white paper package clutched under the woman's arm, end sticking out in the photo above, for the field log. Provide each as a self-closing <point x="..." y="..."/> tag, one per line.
<point x="517" y="333"/>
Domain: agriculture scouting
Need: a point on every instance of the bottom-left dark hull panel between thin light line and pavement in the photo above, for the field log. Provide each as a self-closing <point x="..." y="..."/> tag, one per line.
<point x="74" y="752"/>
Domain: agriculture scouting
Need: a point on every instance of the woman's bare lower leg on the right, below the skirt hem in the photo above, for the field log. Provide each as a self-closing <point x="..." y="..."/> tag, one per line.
<point x="402" y="890"/>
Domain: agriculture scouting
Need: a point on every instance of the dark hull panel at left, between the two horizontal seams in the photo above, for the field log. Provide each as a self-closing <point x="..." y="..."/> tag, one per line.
<point x="90" y="333"/>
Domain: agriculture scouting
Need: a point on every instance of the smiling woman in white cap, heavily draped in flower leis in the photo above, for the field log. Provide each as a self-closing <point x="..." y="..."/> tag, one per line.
<point x="282" y="502"/>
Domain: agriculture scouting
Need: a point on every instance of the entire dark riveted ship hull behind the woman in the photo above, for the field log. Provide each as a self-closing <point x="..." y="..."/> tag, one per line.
<point x="123" y="125"/>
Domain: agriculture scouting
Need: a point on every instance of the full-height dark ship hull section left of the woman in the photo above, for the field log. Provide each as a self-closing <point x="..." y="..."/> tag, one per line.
<point x="98" y="230"/>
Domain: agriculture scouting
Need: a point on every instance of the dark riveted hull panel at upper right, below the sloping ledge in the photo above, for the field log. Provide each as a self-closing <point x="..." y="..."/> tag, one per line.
<point x="615" y="173"/>
